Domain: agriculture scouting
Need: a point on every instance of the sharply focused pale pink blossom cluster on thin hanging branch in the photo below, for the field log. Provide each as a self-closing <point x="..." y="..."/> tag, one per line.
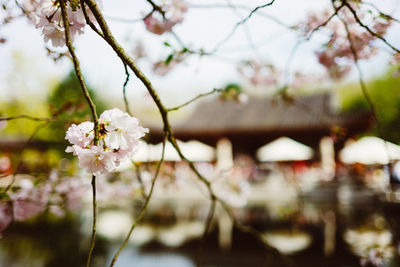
<point x="117" y="141"/>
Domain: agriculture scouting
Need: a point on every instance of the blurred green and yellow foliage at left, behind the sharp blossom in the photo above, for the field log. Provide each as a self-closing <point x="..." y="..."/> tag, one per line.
<point x="65" y="100"/>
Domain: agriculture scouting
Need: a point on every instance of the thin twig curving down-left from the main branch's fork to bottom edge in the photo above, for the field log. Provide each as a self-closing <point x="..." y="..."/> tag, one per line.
<point x="144" y="208"/>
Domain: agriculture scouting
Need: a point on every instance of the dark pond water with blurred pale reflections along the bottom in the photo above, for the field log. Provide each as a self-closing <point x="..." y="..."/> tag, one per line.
<point x="314" y="230"/>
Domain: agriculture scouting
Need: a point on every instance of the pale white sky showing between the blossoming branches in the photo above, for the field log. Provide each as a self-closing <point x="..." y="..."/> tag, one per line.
<point x="202" y="27"/>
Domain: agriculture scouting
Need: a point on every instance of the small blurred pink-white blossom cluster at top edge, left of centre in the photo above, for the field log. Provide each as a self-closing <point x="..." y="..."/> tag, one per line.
<point x="173" y="12"/>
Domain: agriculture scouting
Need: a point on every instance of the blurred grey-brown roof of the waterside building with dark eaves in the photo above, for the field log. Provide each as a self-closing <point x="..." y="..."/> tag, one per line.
<point x="263" y="119"/>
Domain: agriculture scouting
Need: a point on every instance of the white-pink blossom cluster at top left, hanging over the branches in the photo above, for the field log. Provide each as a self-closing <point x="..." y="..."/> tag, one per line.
<point x="46" y="15"/>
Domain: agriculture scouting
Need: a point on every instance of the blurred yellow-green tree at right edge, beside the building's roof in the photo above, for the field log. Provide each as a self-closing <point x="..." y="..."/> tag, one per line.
<point x="385" y="94"/>
